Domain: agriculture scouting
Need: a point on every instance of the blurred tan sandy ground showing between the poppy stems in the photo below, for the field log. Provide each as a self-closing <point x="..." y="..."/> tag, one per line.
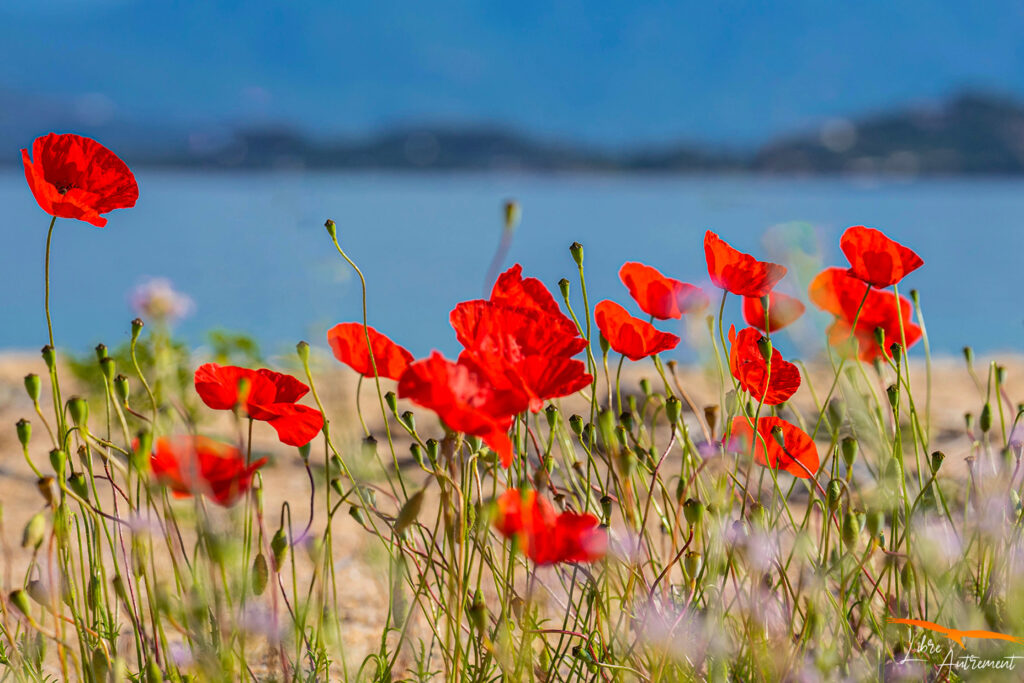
<point x="362" y="583"/>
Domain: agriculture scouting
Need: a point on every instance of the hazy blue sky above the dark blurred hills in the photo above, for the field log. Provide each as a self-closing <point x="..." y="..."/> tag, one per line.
<point x="614" y="73"/>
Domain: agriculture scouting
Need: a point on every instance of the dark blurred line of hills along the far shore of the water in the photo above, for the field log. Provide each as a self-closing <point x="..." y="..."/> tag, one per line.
<point x="969" y="135"/>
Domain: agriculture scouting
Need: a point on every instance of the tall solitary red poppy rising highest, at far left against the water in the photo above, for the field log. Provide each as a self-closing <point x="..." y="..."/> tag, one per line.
<point x="73" y="177"/>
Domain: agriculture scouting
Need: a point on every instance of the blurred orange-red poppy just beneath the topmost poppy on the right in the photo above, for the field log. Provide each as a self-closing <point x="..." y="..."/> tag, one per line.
<point x="836" y="291"/>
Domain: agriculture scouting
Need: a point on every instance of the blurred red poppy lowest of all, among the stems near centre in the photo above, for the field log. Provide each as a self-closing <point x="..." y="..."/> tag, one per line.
<point x="548" y="538"/>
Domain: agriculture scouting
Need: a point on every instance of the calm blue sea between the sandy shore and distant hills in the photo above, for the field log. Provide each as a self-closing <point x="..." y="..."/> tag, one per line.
<point x="251" y="251"/>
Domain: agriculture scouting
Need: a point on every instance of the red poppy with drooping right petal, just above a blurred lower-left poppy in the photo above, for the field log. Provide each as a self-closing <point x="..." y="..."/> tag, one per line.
<point x="270" y="398"/>
